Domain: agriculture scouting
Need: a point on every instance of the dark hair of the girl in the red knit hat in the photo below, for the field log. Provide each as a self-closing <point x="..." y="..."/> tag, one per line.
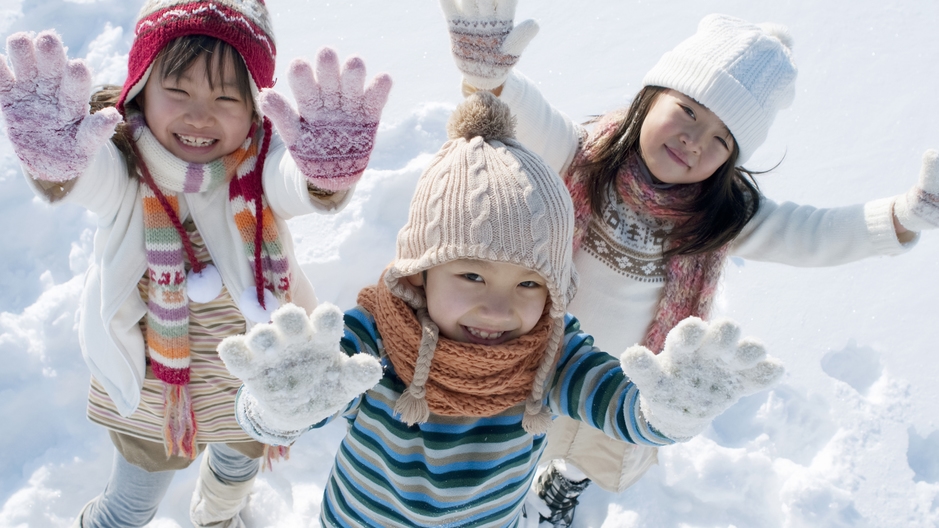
<point x="175" y="59"/>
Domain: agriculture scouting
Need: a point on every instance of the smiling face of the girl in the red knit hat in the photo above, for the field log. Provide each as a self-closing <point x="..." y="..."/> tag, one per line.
<point x="197" y="121"/>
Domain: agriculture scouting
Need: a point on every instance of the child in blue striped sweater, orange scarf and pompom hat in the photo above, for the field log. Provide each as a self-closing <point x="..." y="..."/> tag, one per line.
<point x="453" y="365"/>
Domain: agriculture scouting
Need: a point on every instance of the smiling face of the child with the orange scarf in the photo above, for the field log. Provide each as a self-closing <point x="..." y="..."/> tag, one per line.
<point x="478" y="301"/>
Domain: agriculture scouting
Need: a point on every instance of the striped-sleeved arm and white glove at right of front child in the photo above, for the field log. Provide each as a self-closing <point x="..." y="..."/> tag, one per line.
<point x="658" y="400"/>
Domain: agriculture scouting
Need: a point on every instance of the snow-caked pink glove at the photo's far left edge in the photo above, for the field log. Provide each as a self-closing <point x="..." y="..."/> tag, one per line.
<point x="45" y="103"/>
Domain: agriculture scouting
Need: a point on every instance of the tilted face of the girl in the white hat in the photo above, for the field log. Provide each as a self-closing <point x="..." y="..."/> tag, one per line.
<point x="682" y="141"/>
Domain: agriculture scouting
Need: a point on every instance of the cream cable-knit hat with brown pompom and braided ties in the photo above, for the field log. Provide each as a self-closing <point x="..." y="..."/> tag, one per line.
<point x="485" y="196"/>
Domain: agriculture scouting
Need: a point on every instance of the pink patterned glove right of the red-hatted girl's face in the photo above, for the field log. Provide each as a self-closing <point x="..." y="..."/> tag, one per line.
<point x="332" y="136"/>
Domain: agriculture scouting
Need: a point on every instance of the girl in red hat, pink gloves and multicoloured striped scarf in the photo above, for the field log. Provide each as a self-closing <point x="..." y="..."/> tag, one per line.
<point x="192" y="195"/>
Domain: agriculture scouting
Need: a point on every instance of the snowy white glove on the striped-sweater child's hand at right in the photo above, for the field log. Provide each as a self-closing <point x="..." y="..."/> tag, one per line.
<point x="703" y="370"/>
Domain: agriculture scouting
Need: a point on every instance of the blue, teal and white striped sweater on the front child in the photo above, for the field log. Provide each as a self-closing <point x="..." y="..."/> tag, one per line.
<point x="462" y="472"/>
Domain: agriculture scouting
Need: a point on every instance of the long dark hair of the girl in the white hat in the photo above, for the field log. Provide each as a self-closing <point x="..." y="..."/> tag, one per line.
<point x="727" y="201"/>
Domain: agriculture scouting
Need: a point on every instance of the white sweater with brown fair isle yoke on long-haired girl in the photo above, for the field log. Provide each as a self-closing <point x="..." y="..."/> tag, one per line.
<point x="620" y="262"/>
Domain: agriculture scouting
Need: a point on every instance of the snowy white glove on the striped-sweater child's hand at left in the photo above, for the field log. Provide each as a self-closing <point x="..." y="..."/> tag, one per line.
<point x="294" y="372"/>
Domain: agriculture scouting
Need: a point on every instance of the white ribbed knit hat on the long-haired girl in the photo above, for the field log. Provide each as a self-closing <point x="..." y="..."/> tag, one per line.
<point x="742" y="72"/>
